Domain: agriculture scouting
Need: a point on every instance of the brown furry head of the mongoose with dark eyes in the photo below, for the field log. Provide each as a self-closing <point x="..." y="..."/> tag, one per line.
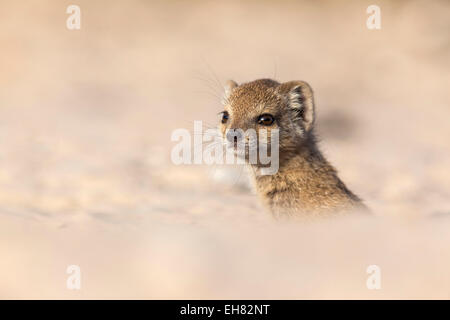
<point x="263" y="106"/>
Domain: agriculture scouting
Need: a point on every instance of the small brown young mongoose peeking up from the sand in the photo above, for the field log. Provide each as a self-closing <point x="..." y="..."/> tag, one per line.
<point x="305" y="184"/>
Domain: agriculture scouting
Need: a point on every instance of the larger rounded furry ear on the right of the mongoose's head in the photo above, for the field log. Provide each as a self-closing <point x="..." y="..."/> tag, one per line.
<point x="300" y="98"/>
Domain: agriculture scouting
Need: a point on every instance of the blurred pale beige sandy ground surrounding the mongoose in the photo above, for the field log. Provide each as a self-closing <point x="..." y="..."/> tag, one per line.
<point x="85" y="171"/>
